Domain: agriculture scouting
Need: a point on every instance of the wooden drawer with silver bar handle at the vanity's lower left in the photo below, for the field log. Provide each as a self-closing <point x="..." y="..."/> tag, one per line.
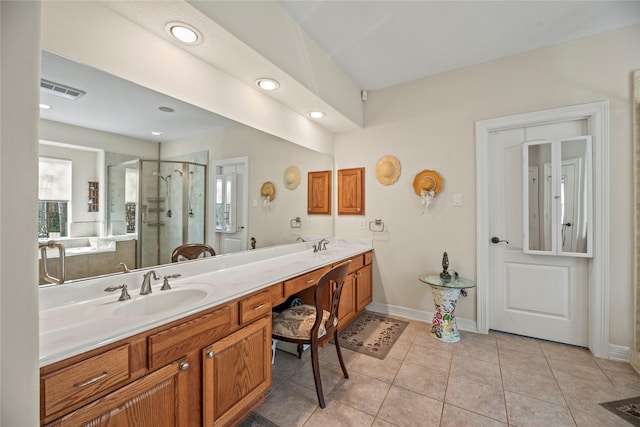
<point x="76" y="383"/>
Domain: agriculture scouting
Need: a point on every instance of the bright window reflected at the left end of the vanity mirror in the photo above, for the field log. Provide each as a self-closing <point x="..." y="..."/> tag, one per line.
<point x="54" y="196"/>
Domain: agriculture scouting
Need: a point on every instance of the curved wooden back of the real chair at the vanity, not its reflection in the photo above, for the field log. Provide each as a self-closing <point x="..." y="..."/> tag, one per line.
<point x="334" y="281"/>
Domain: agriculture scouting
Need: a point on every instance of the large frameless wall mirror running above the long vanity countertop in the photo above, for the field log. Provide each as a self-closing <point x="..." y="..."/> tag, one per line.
<point x="157" y="191"/>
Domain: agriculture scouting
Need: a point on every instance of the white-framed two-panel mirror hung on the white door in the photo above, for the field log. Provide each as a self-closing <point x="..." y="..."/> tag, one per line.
<point x="557" y="197"/>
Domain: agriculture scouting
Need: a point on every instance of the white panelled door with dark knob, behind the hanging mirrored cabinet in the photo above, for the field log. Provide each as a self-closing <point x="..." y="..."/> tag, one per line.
<point x="539" y="296"/>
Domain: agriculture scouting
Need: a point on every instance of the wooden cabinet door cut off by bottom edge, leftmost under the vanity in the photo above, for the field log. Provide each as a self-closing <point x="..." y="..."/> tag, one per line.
<point x="158" y="399"/>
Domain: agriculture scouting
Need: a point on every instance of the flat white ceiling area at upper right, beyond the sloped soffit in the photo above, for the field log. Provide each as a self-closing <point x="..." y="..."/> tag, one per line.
<point x="384" y="43"/>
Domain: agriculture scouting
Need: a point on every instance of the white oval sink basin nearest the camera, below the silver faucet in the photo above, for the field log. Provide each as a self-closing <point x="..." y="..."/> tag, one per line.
<point x="159" y="302"/>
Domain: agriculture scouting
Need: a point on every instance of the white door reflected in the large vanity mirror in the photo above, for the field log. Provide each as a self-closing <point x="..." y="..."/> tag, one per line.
<point x="230" y="213"/>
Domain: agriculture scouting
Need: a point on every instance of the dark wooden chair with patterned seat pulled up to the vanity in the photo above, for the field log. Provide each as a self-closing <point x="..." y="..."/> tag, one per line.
<point x="300" y="325"/>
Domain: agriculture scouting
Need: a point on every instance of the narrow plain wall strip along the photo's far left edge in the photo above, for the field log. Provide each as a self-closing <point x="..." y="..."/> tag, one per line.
<point x="19" y="74"/>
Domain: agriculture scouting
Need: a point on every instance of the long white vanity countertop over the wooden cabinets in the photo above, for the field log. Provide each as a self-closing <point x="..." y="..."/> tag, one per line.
<point x="79" y="317"/>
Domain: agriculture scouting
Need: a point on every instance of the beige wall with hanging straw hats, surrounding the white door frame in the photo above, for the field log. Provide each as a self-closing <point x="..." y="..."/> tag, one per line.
<point x="430" y="124"/>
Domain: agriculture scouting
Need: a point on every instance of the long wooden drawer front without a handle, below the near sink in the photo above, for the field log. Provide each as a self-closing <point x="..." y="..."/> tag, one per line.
<point x="175" y="342"/>
